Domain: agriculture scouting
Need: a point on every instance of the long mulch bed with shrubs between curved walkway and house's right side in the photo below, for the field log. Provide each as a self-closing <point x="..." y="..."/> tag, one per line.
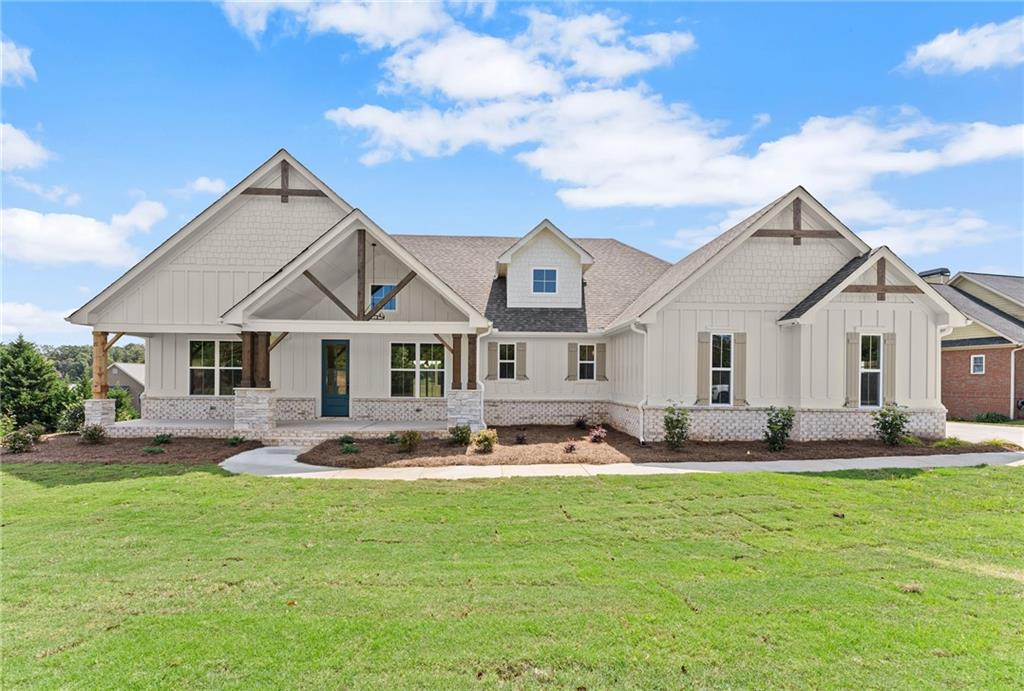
<point x="545" y="445"/>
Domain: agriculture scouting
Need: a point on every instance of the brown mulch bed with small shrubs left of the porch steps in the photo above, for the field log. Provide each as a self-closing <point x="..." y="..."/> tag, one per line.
<point x="187" y="451"/>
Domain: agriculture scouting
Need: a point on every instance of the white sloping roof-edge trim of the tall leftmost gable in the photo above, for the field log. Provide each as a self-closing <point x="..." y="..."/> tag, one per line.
<point x="80" y="316"/>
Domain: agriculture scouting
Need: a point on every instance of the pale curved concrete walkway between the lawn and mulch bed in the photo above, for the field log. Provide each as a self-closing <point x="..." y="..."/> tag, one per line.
<point x="280" y="462"/>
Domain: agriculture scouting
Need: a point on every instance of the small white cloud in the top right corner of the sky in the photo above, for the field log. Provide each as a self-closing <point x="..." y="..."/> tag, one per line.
<point x="992" y="46"/>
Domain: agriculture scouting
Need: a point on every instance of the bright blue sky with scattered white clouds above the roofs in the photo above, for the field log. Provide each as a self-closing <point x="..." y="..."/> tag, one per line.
<point x="661" y="124"/>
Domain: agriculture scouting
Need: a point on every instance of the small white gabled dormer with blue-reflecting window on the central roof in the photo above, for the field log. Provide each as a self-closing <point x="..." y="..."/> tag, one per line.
<point x="544" y="270"/>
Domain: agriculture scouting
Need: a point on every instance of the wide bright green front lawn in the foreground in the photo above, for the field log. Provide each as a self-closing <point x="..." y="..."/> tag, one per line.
<point x="177" y="577"/>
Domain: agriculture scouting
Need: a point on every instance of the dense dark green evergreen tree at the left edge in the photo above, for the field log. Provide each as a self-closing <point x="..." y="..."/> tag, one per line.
<point x="31" y="390"/>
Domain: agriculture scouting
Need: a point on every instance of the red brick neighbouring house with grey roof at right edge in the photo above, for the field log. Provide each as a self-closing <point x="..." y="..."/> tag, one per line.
<point x="984" y="363"/>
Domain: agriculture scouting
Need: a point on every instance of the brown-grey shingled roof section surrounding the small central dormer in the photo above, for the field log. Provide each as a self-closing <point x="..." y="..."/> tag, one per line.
<point x="620" y="274"/>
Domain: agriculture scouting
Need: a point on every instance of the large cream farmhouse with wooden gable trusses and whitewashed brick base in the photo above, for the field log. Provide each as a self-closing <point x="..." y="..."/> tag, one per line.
<point x="282" y="307"/>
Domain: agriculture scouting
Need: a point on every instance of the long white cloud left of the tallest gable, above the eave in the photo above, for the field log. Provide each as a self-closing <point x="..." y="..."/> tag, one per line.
<point x="62" y="239"/>
